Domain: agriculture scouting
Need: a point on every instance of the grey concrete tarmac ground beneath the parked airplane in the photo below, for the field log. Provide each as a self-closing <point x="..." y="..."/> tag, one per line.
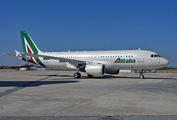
<point x="56" y="94"/>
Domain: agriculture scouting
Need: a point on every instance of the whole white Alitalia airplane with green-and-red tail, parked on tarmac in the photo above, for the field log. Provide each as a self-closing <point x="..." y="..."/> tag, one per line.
<point x="94" y="63"/>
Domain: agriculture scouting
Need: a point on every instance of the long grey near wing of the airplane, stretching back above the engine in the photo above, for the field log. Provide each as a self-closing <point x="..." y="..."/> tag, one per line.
<point x="74" y="62"/>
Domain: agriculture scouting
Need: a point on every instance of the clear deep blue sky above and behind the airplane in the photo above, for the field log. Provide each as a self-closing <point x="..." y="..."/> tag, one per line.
<point x="77" y="25"/>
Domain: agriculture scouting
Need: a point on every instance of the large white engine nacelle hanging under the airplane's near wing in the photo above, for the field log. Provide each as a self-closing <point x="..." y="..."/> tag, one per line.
<point x="95" y="69"/>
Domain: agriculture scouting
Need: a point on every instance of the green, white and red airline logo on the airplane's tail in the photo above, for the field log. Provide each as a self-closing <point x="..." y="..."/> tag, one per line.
<point x="30" y="47"/>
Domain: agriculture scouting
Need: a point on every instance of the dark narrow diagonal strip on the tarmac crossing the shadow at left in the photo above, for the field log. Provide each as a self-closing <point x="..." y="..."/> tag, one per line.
<point x="21" y="87"/>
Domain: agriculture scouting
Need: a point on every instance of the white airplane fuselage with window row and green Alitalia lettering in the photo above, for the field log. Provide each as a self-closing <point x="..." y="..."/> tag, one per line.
<point x="120" y="59"/>
